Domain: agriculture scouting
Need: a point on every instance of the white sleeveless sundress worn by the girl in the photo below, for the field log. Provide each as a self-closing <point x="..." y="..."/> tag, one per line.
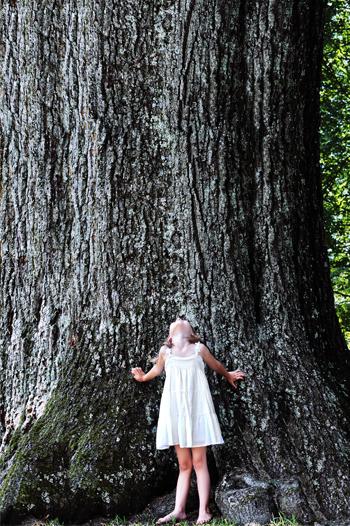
<point x="186" y="414"/>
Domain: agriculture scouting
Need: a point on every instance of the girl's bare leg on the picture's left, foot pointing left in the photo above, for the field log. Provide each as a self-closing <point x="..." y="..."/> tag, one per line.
<point x="183" y="484"/>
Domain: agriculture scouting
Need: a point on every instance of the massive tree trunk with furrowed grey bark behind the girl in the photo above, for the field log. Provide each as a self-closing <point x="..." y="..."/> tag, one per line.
<point x="158" y="159"/>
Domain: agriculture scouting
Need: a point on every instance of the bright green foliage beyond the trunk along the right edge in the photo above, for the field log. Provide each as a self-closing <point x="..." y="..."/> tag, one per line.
<point x="335" y="152"/>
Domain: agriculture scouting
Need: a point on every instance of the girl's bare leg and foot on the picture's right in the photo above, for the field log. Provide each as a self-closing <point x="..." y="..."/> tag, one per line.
<point x="199" y="459"/>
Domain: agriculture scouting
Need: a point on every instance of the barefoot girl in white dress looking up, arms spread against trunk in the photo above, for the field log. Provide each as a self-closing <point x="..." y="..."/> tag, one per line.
<point x="187" y="418"/>
